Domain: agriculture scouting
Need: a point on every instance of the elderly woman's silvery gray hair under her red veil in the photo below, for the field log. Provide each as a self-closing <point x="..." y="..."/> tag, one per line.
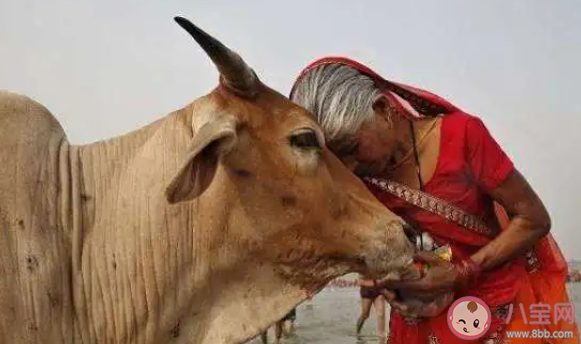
<point x="340" y="98"/>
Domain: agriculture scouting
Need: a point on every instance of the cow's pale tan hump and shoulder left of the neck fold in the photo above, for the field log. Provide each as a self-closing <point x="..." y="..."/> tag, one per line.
<point x="35" y="220"/>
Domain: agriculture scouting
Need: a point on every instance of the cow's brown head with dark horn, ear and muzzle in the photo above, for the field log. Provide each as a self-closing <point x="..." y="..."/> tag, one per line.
<point x="291" y="202"/>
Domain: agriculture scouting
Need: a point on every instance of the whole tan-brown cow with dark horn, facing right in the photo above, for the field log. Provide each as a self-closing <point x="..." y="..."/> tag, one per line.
<point x="205" y="226"/>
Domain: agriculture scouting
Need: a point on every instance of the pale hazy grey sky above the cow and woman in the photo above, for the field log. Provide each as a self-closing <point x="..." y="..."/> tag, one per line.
<point x="108" y="67"/>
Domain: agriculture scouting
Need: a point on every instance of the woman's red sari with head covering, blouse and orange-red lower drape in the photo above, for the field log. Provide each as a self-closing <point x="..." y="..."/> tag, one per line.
<point x="470" y="165"/>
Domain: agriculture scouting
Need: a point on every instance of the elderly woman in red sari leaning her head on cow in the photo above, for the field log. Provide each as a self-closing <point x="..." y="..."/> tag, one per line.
<point x="441" y="169"/>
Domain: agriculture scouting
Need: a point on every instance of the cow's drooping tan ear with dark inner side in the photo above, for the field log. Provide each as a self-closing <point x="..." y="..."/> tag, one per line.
<point x="197" y="169"/>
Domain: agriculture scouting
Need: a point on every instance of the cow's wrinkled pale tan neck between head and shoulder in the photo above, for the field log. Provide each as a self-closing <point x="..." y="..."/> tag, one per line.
<point x="145" y="271"/>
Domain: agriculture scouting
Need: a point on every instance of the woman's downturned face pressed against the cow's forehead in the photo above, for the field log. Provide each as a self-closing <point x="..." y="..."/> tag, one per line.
<point x="368" y="153"/>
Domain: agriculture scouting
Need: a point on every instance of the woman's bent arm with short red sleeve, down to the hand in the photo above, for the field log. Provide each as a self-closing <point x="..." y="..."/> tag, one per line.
<point x="495" y="174"/>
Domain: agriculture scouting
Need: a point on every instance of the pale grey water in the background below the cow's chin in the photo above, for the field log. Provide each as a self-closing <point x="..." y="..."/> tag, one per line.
<point x="330" y="318"/>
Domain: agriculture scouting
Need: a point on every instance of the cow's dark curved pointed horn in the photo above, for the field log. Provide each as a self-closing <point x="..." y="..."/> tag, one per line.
<point x="236" y="74"/>
